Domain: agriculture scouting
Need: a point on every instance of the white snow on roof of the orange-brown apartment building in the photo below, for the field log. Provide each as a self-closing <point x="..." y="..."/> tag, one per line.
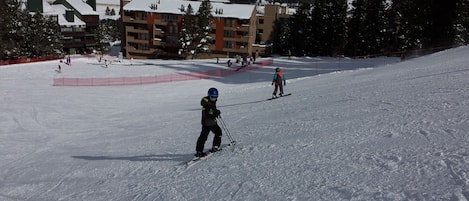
<point x="240" y="11"/>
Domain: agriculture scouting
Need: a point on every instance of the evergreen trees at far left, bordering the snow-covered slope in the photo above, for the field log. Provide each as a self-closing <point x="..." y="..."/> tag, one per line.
<point x="25" y="34"/>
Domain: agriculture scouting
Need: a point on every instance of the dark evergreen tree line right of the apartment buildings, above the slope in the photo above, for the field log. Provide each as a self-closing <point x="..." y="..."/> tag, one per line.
<point x="372" y="27"/>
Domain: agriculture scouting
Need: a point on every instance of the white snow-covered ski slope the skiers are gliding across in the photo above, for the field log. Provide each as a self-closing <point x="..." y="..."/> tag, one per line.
<point x="395" y="132"/>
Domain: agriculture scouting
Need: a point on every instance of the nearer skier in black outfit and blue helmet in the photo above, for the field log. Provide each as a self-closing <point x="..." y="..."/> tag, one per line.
<point x="209" y="123"/>
